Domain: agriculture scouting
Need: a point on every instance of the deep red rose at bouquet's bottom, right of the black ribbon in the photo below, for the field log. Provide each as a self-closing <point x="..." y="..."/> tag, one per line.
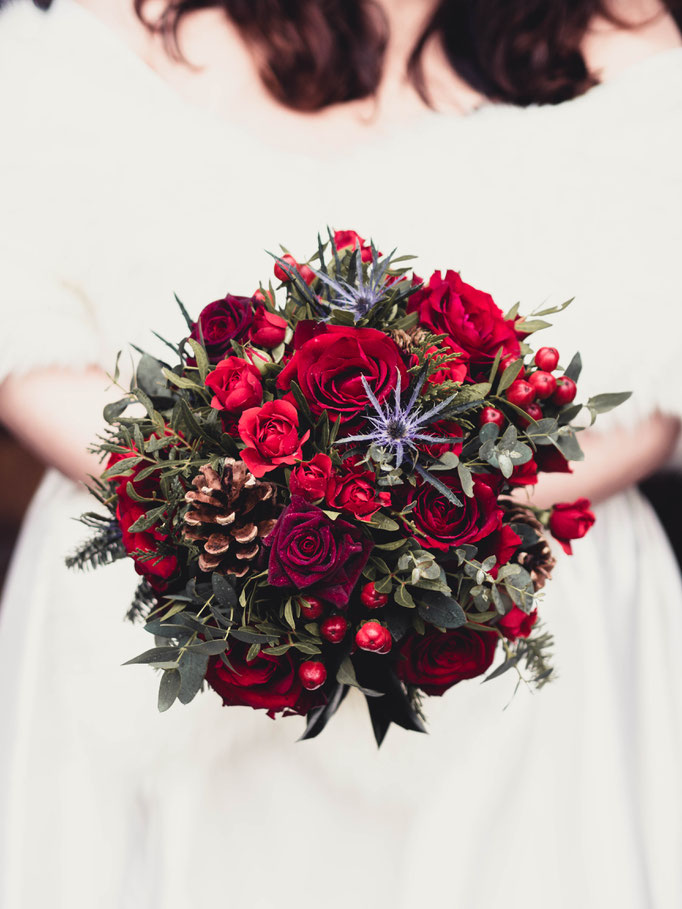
<point x="438" y="660"/>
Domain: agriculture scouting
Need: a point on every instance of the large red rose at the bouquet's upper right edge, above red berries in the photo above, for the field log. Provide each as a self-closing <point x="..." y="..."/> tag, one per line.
<point x="469" y="316"/>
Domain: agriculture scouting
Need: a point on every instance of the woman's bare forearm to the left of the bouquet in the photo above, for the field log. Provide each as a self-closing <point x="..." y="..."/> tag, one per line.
<point x="57" y="413"/>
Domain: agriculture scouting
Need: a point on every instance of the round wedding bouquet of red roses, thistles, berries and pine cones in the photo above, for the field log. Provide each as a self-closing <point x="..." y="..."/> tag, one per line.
<point x="323" y="490"/>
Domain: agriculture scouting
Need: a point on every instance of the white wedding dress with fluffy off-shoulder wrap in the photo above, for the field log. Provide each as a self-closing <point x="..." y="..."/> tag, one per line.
<point x="114" y="193"/>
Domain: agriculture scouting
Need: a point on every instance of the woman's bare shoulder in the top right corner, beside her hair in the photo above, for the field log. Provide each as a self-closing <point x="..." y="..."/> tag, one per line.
<point x="610" y="48"/>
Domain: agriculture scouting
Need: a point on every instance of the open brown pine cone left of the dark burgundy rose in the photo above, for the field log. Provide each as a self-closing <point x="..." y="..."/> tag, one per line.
<point x="231" y="515"/>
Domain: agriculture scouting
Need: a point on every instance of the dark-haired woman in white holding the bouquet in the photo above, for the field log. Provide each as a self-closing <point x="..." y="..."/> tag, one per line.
<point x="130" y="175"/>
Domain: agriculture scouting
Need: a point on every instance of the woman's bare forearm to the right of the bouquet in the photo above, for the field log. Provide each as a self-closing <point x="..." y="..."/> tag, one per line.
<point x="612" y="462"/>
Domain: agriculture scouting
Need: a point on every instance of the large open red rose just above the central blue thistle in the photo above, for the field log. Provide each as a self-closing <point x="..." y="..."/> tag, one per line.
<point x="331" y="359"/>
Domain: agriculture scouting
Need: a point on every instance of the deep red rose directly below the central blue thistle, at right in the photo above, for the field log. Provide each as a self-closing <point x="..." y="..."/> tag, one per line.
<point x="442" y="525"/>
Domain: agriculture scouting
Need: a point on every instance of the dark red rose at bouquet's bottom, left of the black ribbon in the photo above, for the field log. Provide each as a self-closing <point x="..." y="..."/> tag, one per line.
<point x="265" y="683"/>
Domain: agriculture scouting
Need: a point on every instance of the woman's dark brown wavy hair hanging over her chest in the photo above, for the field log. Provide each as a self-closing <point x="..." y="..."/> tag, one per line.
<point x="313" y="53"/>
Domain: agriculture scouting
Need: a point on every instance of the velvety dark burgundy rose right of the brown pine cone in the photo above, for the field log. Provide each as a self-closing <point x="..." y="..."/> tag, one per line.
<point x="309" y="551"/>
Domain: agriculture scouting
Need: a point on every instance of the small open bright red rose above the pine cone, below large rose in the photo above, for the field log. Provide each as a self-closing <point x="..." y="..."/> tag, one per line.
<point x="270" y="433"/>
